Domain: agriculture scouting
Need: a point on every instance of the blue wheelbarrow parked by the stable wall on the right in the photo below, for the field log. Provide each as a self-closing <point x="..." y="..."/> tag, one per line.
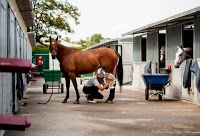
<point x="156" y="82"/>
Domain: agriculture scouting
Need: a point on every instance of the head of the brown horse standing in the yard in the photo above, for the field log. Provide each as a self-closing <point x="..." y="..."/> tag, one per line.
<point x="53" y="47"/>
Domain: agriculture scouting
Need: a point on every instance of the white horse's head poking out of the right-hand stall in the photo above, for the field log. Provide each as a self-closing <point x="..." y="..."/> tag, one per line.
<point x="181" y="55"/>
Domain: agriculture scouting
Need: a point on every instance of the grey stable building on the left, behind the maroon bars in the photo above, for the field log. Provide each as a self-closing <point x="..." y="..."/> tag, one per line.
<point x="15" y="52"/>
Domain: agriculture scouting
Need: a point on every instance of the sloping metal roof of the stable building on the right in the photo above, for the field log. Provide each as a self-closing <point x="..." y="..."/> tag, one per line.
<point x="170" y="21"/>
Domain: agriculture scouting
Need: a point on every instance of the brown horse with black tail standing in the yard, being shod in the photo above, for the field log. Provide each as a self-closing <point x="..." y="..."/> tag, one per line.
<point x="74" y="62"/>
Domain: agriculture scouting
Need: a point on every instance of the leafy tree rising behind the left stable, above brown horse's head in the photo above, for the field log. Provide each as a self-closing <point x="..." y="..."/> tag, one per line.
<point x="53" y="16"/>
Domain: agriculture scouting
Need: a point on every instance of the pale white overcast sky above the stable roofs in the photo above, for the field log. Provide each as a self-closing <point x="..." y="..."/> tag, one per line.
<point x="112" y="18"/>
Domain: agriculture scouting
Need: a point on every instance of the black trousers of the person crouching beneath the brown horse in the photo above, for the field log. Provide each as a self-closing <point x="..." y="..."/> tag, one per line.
<point x="92" y="92"/>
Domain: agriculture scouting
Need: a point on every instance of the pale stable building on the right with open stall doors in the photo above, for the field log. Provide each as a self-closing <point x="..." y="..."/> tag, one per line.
<point x="180" y="29"/>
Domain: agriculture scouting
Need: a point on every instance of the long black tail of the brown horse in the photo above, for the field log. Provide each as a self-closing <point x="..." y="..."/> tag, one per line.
<point x="119" y="70"/>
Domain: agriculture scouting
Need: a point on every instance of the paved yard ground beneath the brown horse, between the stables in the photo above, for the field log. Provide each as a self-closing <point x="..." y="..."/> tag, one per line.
<point x="129" y="115"/>
